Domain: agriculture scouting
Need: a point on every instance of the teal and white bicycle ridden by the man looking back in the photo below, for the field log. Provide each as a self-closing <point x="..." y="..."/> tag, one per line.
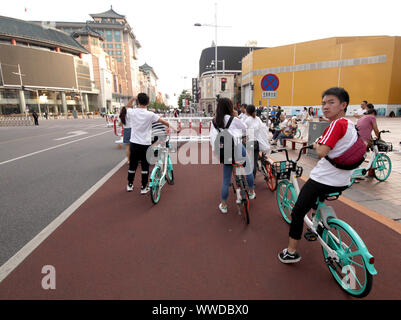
<point x="344" y="252"/>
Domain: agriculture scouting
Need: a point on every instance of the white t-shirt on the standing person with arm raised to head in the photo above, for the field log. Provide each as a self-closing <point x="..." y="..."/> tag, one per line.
<point x="141" y="125"/>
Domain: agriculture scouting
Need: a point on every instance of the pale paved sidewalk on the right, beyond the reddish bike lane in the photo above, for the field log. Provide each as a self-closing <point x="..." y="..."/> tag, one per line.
<point x="381" y="197"/>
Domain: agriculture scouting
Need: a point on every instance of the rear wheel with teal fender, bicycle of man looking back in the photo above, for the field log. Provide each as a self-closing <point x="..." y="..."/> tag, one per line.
<point x="350" y="272"/>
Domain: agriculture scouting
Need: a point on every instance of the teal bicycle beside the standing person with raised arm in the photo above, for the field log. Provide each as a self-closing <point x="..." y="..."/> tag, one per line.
<point x="162" y="172"/>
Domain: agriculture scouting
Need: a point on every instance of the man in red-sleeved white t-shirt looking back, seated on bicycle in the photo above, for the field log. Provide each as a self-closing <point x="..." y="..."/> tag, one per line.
<point x="324" y="178"/>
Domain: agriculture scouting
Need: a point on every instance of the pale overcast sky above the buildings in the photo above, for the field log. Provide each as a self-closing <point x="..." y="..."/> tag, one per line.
<point x="172" y="45"/>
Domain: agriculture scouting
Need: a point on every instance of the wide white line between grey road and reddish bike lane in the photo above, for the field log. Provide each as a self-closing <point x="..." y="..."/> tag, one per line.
<point x="25" y="251"/>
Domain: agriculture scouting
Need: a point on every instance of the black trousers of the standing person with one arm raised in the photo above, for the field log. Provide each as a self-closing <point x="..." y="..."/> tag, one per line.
<point x="138" y="153"/>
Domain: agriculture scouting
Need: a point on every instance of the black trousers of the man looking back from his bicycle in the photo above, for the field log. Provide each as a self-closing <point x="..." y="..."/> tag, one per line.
<point x="306" y="201"/>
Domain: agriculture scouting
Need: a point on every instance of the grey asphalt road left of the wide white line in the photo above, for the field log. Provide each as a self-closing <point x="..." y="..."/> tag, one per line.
<point x="44" y="169"/>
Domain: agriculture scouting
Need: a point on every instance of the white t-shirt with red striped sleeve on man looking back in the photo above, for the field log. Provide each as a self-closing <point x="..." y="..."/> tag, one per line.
<point x="339" y="136"/>
